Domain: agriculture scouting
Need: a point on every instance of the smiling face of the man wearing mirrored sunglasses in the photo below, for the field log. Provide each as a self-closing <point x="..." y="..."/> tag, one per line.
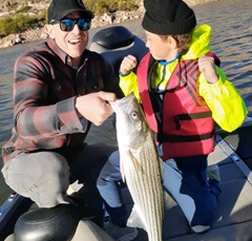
<point x="74" y="42"/>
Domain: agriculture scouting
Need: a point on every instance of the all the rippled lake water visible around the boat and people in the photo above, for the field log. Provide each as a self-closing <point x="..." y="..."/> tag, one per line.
<point x="231" y="21"/>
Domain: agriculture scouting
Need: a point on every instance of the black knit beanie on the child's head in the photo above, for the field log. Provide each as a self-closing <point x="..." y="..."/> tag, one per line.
<point x="168" y="17"/>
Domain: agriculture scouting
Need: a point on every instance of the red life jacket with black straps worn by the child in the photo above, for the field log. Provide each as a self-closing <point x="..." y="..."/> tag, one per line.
<point x="183" y="122"/>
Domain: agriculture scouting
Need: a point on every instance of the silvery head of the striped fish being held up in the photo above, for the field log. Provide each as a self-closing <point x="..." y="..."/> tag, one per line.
<point x="131" y="126"/>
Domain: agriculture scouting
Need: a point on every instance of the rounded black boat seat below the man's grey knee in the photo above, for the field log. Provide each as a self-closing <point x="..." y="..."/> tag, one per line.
<point x="50" y="224"/>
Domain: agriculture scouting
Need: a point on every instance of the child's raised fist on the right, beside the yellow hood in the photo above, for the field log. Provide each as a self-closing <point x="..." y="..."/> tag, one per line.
<point x="207" y="67"/>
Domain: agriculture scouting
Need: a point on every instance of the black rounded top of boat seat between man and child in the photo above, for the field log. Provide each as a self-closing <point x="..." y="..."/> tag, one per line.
<point x="113" y="37"/>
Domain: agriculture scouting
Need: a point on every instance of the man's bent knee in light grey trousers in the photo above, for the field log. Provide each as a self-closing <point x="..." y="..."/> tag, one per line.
<point x="43" y="177"/>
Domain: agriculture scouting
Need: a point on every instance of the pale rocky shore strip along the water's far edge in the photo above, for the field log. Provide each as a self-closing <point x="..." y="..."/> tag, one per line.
<point x="98" y="21"/>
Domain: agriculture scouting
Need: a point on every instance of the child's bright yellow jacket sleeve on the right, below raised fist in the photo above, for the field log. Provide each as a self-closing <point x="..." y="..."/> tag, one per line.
<point x="227" y="106"/>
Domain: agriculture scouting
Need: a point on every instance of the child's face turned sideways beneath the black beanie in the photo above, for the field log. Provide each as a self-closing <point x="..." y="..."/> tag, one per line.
<point x="161" y="48"/>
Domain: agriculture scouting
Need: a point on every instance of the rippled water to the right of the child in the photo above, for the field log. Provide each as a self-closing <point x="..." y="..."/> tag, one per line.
<point x="232" y="41"/>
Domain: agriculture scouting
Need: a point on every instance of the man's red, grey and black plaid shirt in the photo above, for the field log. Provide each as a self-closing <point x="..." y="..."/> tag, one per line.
<point x="45" y="89"/>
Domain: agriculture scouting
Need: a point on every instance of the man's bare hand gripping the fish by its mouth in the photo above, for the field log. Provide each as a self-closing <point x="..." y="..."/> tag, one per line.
<point x="95" y="107"/>
